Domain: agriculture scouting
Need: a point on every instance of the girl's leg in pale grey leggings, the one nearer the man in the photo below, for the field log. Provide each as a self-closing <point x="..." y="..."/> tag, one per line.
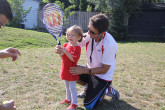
<point x="72" y="88"/>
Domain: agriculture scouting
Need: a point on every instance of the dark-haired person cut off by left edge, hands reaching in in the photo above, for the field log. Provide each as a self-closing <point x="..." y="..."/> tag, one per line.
<point x="6" y="16"/>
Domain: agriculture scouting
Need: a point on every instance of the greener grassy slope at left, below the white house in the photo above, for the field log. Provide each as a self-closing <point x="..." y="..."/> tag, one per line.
<point x="20" y="38"/>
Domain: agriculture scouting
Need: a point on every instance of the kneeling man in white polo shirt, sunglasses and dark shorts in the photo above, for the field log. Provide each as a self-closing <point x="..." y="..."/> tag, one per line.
<point x="101" y="51"/>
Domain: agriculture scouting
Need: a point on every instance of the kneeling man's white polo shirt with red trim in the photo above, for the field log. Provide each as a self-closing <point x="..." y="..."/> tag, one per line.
<point x="104" y="52"/>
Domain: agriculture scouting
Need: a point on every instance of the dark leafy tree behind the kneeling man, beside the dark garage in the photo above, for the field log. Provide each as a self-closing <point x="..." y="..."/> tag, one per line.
<point x="117" y="10"/>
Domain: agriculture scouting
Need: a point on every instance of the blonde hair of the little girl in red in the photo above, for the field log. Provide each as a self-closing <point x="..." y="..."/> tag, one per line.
<point x="77" y="30"/>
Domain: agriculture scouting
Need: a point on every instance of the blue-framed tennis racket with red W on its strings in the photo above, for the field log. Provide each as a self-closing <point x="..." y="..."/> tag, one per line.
<point x="53" y="19"/>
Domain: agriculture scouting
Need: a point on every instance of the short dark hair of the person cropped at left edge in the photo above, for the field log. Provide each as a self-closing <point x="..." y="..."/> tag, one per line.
<point x="5" y="9"/>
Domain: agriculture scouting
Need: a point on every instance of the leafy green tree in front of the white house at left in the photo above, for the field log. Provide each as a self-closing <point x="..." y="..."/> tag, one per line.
<point x="18" y="12"/>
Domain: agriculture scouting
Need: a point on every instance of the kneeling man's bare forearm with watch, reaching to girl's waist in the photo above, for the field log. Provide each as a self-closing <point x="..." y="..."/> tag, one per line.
<point x="98" y="70"/>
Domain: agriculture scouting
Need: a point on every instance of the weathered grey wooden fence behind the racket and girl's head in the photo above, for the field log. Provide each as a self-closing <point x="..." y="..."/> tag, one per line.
<point x="79" y="18"/>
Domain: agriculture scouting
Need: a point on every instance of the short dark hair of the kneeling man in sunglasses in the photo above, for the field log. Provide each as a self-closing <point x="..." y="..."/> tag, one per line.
<point x="100" y="22"/>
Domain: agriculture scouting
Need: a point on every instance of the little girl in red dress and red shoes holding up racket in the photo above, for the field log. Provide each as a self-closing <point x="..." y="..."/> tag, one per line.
<point x="70" y="54"/>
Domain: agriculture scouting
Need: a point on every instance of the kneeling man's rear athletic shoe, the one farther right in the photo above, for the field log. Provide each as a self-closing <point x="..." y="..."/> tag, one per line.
<point x="113" y="93"/>
